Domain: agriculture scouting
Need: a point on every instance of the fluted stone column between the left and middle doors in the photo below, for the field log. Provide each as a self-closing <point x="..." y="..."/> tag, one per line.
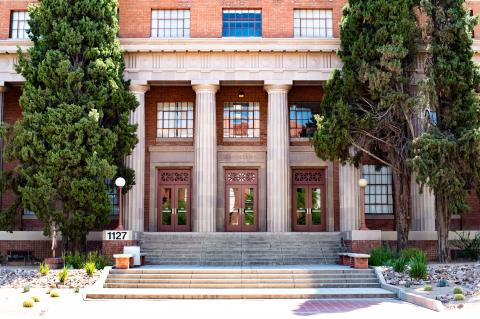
<point x="205" y="166"/>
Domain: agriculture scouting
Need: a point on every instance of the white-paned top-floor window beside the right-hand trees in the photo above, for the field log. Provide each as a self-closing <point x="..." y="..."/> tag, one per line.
<point x="312" y="23"/>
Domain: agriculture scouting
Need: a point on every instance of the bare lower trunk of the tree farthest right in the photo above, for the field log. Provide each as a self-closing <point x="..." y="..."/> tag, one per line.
<point x="442" y="222"/>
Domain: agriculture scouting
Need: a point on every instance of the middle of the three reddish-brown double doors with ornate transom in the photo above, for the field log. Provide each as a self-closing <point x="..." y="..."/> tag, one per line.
<point x="241" y="200"/>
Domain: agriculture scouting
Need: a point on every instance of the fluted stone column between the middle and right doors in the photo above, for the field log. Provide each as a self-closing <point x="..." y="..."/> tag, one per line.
<point x="278" y="170"/>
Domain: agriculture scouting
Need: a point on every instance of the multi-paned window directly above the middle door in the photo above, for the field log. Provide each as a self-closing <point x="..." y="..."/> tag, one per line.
<point x="241" y="120"/>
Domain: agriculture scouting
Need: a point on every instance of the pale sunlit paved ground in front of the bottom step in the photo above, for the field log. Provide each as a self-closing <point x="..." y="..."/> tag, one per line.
<point x="71" y="305"/>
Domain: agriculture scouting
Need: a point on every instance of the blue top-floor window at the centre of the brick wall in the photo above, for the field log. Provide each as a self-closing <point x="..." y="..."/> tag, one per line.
<point x="242" y="23"/>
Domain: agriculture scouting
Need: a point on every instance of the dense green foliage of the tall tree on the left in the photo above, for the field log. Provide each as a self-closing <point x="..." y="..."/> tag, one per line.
<point x="75" y="131"/>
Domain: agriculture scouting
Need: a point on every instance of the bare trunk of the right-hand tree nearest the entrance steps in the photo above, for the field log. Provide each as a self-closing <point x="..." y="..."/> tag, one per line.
<point x="402" y="199"/>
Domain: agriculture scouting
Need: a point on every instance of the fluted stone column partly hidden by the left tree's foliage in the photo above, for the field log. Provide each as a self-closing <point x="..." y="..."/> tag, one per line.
<point x="134" y="200"/>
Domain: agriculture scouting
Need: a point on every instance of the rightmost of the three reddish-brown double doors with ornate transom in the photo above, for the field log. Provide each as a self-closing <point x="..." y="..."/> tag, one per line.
<point x="309" y="200"/>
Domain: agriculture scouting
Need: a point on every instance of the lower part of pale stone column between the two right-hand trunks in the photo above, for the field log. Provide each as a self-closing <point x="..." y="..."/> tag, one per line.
<point x="423" y="208"/>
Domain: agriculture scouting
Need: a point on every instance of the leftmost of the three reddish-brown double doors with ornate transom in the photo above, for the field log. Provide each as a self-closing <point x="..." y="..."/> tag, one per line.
<point x="173" y="201"/>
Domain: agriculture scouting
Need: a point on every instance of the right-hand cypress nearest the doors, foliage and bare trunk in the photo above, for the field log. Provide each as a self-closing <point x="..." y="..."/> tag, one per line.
<point x="368" y="108"/>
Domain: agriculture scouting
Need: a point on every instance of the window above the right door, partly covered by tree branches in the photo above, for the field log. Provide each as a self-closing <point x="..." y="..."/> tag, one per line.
<point x="302" y="123"/>
